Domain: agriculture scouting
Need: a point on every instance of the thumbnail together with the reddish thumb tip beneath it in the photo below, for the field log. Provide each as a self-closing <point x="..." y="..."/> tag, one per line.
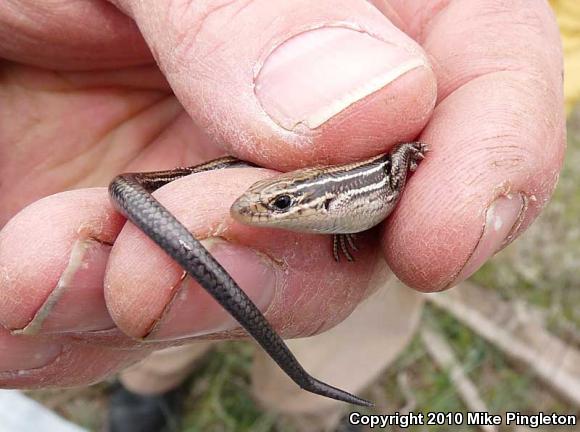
<point x="340" y="81"/>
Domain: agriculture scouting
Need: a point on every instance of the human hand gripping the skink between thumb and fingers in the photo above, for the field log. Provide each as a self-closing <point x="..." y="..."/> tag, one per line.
<point x="284" y="84"/>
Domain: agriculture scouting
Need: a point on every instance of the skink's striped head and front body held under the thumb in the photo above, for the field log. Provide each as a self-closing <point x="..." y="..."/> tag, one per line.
<point x="340" y="200"/>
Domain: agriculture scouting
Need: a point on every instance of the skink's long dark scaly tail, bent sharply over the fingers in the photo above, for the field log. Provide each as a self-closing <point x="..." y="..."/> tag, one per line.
<point x="131" y="194"/>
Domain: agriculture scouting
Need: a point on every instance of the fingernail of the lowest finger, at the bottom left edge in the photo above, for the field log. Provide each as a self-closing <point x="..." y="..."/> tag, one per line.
<point x="27" y="353"/>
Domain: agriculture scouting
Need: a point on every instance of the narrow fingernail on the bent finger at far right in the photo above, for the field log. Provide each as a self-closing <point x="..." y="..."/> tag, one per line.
<point x="501" y="217"/>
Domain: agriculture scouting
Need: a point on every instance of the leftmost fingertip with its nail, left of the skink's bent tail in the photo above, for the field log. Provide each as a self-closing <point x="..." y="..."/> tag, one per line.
<point x="55" y="268"/>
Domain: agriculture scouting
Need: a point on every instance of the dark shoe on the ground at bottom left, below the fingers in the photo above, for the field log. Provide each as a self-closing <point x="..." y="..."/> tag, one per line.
<point x="131" y="412"/>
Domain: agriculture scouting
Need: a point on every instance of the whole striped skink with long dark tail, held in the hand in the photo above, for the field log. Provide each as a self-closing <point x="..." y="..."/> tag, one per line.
<point x="339" y="200"/>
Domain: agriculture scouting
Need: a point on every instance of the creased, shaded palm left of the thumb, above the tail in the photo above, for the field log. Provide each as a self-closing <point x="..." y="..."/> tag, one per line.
<point x="70" y="130"/>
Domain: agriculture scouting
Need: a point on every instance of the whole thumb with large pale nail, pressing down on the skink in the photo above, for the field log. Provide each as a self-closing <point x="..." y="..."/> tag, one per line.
<point x="282" y="83"/>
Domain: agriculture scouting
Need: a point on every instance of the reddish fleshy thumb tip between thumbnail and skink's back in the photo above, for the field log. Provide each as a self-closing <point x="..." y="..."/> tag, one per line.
<point x="393" y="114"/>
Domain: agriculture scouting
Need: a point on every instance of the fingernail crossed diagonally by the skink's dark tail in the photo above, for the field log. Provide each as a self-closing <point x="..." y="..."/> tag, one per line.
<point x="193" y="312"/>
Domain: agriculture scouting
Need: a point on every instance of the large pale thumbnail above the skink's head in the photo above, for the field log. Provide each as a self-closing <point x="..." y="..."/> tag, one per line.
<point x="315" y="75"/>
